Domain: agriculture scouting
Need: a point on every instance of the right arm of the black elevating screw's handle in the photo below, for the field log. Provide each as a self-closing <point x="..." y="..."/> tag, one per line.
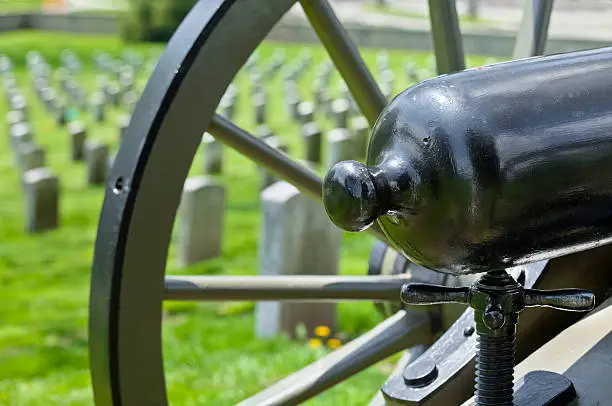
<point x="573" y="300"/>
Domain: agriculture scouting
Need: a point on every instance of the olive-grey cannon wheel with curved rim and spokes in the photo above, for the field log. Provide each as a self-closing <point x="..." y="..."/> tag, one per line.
<point x="143" y="193"/>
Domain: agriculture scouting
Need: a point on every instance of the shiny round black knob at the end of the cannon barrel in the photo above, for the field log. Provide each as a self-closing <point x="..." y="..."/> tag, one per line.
<point x="353" y="195"/>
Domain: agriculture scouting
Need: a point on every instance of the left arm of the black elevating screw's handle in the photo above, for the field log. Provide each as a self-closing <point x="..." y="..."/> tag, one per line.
<point x="426" y="294"/>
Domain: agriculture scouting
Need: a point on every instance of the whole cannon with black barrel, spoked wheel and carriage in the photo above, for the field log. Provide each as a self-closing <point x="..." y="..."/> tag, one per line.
<point x="495" y="178"/>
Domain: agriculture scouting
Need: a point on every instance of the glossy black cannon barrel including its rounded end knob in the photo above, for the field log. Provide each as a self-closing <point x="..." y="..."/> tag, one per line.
<point x="490" y="167"/>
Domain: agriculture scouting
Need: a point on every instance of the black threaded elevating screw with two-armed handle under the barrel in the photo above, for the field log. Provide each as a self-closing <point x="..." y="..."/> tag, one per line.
<point x="497" y="300"/>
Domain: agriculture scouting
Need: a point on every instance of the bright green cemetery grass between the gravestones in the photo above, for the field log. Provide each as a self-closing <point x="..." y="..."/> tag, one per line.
<point x="211" y="354"/>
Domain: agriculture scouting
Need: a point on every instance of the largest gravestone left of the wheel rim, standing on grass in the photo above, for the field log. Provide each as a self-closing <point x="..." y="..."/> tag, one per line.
<point x="42" y="200"/>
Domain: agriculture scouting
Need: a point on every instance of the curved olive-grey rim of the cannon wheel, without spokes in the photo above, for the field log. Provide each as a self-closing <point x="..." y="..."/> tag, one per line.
<point x="144" y="191"/>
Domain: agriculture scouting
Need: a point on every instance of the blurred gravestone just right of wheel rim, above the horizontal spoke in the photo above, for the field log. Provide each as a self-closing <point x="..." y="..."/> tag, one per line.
<point x="201" y="216"/>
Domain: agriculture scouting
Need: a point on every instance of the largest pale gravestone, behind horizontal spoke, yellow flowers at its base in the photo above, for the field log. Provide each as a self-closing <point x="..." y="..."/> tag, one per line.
<point x="297" y="238"/>
